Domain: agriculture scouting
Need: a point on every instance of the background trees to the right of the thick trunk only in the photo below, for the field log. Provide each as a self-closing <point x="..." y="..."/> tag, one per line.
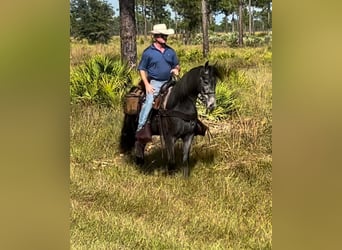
<point x="187" y="15"/>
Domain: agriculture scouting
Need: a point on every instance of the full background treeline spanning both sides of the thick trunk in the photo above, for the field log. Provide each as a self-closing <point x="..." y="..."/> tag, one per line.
<point x="97" y="21"/>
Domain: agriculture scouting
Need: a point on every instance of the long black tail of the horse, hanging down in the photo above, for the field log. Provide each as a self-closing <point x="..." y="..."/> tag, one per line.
<point x="127" y="138"/>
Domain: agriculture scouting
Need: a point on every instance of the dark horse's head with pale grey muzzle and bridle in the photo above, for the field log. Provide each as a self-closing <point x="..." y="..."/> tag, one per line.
<point x="208" y="76"/>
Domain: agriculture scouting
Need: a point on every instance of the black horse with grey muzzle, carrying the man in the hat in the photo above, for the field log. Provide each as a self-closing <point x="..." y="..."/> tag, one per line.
<point x="179" y="117"/>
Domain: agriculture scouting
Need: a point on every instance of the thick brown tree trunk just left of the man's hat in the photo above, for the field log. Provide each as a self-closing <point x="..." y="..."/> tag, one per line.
<point x="128" y="33"/>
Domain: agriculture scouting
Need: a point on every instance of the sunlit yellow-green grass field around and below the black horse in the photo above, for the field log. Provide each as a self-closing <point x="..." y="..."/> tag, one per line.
<point x="225" y="204"/>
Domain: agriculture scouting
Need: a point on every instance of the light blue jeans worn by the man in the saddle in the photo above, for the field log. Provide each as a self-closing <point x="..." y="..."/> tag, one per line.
<point x="147" y="105"/>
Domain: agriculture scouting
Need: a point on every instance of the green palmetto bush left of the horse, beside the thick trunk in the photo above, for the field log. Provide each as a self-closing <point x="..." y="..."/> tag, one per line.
<point x="100" y="80"/>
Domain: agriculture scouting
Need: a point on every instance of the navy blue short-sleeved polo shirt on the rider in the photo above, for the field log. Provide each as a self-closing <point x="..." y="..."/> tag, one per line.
<point x="157" y="64"/>
